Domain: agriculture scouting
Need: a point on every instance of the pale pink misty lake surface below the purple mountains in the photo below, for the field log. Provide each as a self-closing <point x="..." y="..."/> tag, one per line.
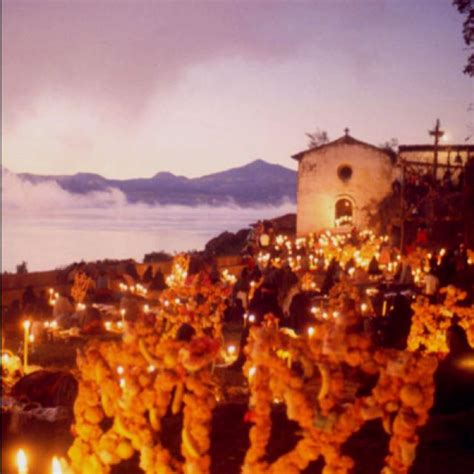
<point x="50" y="228"/>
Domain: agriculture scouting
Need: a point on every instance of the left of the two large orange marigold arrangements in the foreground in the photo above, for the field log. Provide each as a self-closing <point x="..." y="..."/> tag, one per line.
<point x="132" y="384"/>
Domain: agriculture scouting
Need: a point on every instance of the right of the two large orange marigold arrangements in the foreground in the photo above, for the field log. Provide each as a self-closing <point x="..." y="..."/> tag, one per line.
<point x="328" y="417"/>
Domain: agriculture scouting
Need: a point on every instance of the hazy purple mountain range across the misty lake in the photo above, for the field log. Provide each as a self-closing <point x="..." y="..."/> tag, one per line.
<point x="257" y="183"/>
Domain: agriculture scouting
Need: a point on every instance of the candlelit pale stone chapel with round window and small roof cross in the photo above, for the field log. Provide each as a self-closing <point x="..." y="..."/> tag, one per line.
<point x="339" y="182"/>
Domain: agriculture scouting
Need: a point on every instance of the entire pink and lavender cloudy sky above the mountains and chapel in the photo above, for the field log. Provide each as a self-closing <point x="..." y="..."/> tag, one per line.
<point x="127" y="89"/>
